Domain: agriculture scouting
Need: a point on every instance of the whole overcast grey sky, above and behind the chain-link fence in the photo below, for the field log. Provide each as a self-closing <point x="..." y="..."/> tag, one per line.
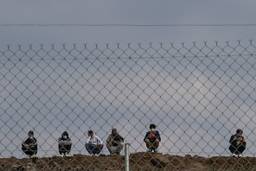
<point x="84" y="95"/>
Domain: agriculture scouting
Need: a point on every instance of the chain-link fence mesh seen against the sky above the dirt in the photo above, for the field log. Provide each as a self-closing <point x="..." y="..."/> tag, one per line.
<point x="197" y="94"/>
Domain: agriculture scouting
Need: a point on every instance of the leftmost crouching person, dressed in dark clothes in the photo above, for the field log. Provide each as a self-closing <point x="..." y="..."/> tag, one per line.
<point x="29" y="146"/>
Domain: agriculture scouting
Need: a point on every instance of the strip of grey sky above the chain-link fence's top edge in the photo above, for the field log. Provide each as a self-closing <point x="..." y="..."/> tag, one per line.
<point x="125" y="12"/>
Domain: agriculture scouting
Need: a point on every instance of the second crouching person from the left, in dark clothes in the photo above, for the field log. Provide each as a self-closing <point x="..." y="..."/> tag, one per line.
<point x="64" y="144"/>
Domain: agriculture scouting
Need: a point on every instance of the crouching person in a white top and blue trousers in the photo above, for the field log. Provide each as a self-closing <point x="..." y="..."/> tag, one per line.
<point x="94" y="144"/>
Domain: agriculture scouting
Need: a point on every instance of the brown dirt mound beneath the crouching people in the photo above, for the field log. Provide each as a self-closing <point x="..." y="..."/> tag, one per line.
<point x="138" y="161"/>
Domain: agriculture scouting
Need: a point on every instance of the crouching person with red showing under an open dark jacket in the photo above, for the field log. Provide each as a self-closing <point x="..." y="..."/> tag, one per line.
<point x="152" y="138"/>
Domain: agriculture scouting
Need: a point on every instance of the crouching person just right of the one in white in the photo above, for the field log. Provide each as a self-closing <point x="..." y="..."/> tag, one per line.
<point x="114" y="142"/>
